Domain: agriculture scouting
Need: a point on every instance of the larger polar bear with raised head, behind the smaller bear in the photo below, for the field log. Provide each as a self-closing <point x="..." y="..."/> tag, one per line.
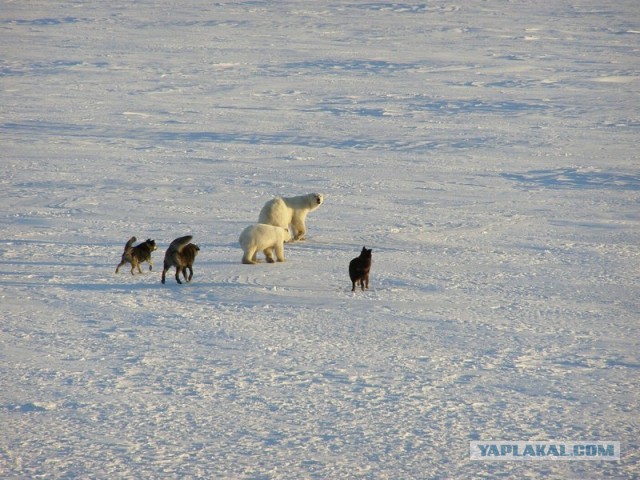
<point x="285" y="211"/>
